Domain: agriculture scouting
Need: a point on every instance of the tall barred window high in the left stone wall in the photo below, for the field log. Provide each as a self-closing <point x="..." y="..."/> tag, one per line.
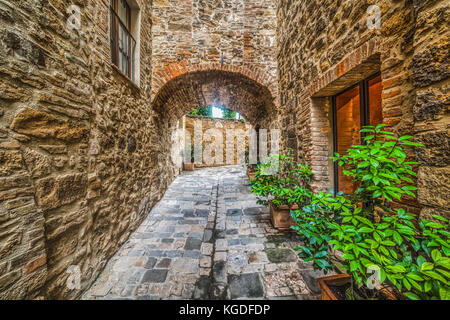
<point x="123" y="45"/>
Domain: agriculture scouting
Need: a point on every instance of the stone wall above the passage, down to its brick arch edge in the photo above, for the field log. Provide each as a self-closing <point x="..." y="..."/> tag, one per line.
<point x="231" y="35"/>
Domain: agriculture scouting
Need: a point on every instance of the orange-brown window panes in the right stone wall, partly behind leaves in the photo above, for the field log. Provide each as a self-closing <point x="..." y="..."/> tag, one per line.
<point x="354" y="108"/>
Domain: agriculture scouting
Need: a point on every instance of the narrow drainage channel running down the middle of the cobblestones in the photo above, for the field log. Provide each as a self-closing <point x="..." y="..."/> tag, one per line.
<point x="214" y="286"/>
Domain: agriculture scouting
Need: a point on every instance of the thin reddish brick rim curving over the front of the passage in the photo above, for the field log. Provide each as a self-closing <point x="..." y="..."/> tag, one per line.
<point x="164" y="74"/>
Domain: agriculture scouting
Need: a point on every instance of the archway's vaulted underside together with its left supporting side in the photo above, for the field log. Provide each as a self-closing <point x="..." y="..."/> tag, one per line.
<point x="197" y="89"/>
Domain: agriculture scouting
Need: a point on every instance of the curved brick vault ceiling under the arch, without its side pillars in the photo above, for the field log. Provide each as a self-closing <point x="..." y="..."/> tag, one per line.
<point x="215" y="87"/>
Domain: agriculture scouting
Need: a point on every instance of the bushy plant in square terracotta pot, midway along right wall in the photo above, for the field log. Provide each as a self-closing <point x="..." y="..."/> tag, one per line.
<point x="285" y="185"/>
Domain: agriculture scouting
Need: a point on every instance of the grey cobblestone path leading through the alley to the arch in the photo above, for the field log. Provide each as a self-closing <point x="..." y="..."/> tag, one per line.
<point x="207" y="239"/>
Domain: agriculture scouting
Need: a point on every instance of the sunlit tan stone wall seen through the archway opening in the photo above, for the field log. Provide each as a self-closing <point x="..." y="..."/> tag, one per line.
<point x="217" y="132"/>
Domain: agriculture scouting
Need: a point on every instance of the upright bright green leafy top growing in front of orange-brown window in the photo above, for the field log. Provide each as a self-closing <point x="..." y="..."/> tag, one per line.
<point x="380" y="169"/>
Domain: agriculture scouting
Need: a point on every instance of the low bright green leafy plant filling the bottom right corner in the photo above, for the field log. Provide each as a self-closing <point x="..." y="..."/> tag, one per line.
<point x="414" y="260"/>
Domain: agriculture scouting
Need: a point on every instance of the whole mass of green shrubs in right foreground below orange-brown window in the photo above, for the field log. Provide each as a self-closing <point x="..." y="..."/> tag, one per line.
<point x="379" y="245"/>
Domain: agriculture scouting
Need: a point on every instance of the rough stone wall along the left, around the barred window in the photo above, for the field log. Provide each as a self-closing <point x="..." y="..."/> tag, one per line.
<point x="80" y="158"/>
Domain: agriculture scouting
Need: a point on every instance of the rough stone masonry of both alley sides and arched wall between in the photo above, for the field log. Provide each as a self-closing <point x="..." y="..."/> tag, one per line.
<point x="85" y="153"/>
